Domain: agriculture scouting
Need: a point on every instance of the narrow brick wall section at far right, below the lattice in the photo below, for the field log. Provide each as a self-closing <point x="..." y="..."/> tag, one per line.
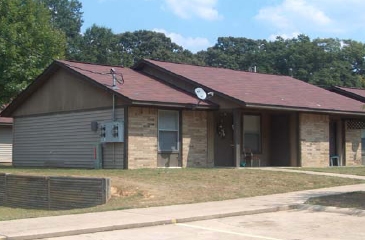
<point x="353" y="147"/>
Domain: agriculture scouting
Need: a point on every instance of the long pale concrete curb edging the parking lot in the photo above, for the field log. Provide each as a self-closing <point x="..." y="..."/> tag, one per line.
<point x="146" y="224"/>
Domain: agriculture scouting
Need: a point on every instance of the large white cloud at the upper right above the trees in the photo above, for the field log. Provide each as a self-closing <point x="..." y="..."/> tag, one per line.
<point x="340" y="18"/>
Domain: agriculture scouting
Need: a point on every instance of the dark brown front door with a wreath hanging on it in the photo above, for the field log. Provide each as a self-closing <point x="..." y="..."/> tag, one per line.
<point x="223" y="139"/>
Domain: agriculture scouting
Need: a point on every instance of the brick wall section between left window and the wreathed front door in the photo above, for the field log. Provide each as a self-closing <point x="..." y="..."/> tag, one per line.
<point x="194" y="139"/>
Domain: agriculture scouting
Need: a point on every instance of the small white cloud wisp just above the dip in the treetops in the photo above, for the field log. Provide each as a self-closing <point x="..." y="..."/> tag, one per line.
<point x="194" y="44"/>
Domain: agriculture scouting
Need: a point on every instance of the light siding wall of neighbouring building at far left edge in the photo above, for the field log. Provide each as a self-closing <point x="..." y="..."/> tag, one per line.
<point x="6" y="143"/>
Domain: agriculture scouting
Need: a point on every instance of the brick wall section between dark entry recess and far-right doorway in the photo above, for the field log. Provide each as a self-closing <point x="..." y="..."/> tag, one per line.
<point x="314" y="140"/>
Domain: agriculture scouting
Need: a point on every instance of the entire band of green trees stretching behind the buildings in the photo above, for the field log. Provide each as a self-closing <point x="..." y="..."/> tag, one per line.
<point x="33" y="32"/>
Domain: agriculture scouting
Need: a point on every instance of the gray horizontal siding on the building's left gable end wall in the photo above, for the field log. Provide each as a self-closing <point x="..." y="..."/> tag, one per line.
<point x="63" y="140"/>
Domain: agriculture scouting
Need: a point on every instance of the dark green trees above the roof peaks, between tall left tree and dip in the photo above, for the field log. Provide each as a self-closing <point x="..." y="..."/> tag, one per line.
<point x="100" y="45"/>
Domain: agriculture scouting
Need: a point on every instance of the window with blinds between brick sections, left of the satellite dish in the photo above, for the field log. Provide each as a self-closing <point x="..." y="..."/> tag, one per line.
<point x="168" y="131"/>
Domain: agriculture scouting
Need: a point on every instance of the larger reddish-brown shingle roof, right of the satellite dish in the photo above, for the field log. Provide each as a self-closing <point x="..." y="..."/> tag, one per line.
<point x="261" y="90"/>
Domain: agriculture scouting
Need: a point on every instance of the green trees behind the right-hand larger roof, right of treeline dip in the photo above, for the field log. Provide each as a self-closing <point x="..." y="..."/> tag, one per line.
<point x="324" y="62"/>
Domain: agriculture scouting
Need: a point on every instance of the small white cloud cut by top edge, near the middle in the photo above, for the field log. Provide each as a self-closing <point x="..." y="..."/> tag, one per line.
<point x="205" y="9"/>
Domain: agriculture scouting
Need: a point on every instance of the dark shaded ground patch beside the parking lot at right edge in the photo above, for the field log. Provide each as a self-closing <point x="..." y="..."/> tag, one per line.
<point x="346" y="200"/>
